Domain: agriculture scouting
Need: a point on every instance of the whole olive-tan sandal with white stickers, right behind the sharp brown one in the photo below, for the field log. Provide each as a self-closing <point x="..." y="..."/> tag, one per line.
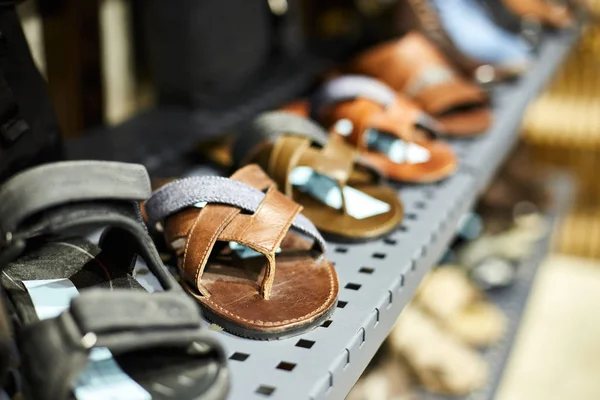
<point x="344" y="198"/>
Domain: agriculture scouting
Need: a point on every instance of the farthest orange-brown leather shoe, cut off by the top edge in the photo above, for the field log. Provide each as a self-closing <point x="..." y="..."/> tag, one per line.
<point x="549" y="13"/>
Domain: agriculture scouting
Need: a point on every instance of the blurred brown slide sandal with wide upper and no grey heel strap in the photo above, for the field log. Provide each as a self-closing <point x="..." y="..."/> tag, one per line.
<point x="413" y="66"/>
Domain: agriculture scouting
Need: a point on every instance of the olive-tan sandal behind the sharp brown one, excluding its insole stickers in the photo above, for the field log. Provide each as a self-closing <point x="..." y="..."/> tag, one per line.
<point x="280" y="150"/>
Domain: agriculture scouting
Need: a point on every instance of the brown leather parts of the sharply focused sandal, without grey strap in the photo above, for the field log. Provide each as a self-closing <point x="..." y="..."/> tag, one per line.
<point x="275" y="293"/>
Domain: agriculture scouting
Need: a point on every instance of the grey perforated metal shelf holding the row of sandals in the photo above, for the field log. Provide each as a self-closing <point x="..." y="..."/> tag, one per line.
<point x="377" y="279"/>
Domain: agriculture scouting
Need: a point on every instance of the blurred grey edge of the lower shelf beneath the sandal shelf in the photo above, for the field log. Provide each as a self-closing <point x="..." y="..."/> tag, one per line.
<point x="512" y="300"/>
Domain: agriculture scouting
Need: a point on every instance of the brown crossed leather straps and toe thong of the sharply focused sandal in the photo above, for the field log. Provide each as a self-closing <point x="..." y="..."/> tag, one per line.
<point x="261" y="231"/>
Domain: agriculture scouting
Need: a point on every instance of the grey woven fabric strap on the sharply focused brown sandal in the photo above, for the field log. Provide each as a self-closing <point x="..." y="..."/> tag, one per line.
<point x="184" y="193"/>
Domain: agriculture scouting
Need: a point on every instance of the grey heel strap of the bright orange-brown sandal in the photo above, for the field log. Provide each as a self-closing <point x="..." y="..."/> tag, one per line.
<point x="350" y="87"/>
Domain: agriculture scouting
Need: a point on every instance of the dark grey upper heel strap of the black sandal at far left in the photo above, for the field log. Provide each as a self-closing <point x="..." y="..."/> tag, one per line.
<point x="51" y="185"/>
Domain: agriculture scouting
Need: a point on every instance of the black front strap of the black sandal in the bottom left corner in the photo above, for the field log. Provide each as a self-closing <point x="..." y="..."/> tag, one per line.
<point x="55" y="351"/>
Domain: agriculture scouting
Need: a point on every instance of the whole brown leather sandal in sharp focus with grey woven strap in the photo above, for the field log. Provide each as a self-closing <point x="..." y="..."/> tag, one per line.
<point x="220" y="227"/>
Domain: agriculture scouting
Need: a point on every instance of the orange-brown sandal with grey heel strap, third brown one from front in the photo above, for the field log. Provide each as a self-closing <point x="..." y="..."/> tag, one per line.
<point x="390" y="132"/>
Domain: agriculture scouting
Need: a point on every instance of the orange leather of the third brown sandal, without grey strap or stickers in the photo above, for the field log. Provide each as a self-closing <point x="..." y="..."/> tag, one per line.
<point x="399" y="120"/>
